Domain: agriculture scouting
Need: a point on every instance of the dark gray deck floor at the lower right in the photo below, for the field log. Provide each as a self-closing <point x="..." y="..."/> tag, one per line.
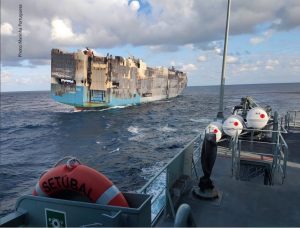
<point x="247" y="203"/>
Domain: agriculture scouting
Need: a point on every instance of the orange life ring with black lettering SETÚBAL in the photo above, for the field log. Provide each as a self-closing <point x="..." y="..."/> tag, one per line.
<point x="81" y="179"/>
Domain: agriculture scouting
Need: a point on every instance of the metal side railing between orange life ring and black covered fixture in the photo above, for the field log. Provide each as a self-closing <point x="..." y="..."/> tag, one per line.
<point x="184" y="163"/>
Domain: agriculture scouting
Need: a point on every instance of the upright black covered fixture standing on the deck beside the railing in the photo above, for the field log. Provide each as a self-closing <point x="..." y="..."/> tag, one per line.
<point x="208" y="158"/>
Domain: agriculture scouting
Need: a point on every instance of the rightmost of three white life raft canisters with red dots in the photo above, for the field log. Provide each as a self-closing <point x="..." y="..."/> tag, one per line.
<point x="257" y="118"/>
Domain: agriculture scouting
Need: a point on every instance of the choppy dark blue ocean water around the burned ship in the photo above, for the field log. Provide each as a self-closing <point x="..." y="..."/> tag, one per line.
<point x="128" y="144"/>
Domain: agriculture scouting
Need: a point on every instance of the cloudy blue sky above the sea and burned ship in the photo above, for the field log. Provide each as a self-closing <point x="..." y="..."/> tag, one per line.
<point x="263" y="44"/>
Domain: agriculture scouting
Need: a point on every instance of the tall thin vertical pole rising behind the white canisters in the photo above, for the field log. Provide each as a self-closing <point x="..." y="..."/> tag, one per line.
<point x="221" y="108"/>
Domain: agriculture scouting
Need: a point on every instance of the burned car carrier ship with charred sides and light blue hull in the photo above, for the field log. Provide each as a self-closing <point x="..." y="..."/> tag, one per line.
<point x="86" y="81"/>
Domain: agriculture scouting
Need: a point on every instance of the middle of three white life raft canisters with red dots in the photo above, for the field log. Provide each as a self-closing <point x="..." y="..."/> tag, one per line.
<point x="233" y="125"/>
